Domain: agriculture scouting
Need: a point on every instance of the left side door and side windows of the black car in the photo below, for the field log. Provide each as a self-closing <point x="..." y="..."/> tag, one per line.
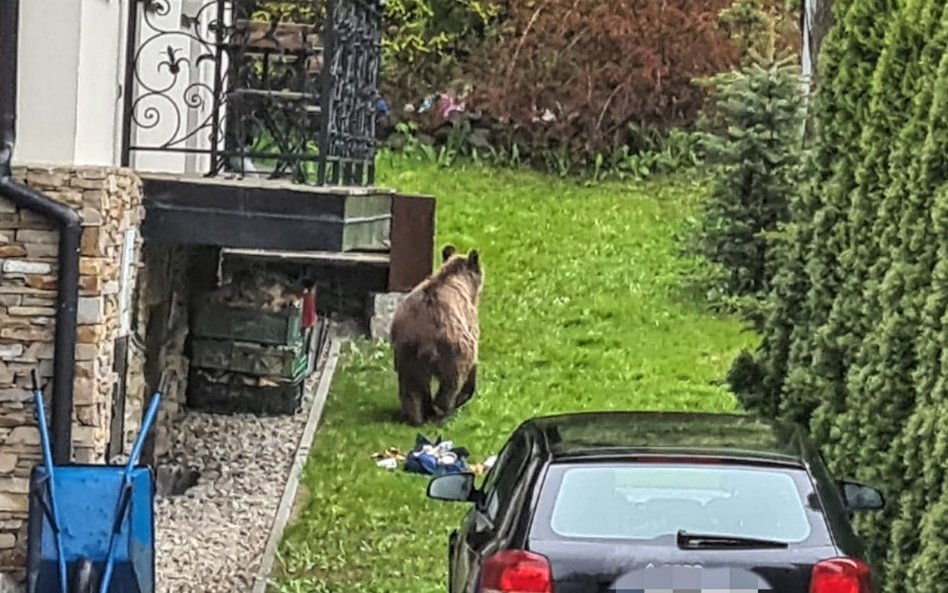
<point x="479" y="534"/>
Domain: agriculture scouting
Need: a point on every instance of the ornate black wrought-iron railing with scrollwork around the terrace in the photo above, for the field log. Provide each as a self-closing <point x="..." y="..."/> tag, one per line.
<point x="224" y="87"/>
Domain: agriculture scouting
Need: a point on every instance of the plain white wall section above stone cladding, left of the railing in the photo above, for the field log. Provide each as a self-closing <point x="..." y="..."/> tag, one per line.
<point x="69" y="77"/>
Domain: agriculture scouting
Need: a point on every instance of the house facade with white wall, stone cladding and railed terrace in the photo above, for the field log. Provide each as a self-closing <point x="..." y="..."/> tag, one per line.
<point x="149" y="139"/>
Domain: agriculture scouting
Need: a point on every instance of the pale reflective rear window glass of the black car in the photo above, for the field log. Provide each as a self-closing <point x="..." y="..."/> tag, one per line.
<point x="648" y="501"/>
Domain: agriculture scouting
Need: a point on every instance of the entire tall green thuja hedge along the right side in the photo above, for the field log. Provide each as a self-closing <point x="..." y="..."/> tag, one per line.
<point x="854" y="344"/>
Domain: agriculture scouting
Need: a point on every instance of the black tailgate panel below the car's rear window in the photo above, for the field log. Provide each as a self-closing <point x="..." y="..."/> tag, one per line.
<point x="616" y="567"/>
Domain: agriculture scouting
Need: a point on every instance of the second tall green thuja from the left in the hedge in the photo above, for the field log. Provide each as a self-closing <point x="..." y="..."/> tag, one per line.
<point x="814" y="380"/>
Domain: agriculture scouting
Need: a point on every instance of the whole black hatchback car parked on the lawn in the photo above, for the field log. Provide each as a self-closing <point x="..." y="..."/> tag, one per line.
<point x="642" y="501"/>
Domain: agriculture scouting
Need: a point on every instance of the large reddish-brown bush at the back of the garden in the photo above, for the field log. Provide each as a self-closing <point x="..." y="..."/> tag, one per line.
<point x="597" y="67"/>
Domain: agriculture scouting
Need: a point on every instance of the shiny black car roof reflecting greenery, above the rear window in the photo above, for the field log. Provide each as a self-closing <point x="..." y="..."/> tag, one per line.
<point x="608" y="434"/>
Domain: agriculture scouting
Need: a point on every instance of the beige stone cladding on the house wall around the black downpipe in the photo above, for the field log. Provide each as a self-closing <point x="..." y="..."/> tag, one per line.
<point x="109" y="203"/>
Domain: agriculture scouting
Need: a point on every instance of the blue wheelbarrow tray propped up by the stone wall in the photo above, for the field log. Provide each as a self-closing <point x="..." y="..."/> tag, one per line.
<point x="87" y="496"/>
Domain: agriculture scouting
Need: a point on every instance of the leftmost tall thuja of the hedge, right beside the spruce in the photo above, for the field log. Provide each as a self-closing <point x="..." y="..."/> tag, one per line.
<point x="776" y="379"/>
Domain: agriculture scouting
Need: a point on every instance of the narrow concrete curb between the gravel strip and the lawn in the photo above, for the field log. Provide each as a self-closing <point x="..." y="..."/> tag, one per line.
<point x="299" y="461"/>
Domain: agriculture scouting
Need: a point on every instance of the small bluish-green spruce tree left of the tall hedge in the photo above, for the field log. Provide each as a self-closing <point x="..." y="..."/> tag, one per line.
<point x="754" y="122"/>
